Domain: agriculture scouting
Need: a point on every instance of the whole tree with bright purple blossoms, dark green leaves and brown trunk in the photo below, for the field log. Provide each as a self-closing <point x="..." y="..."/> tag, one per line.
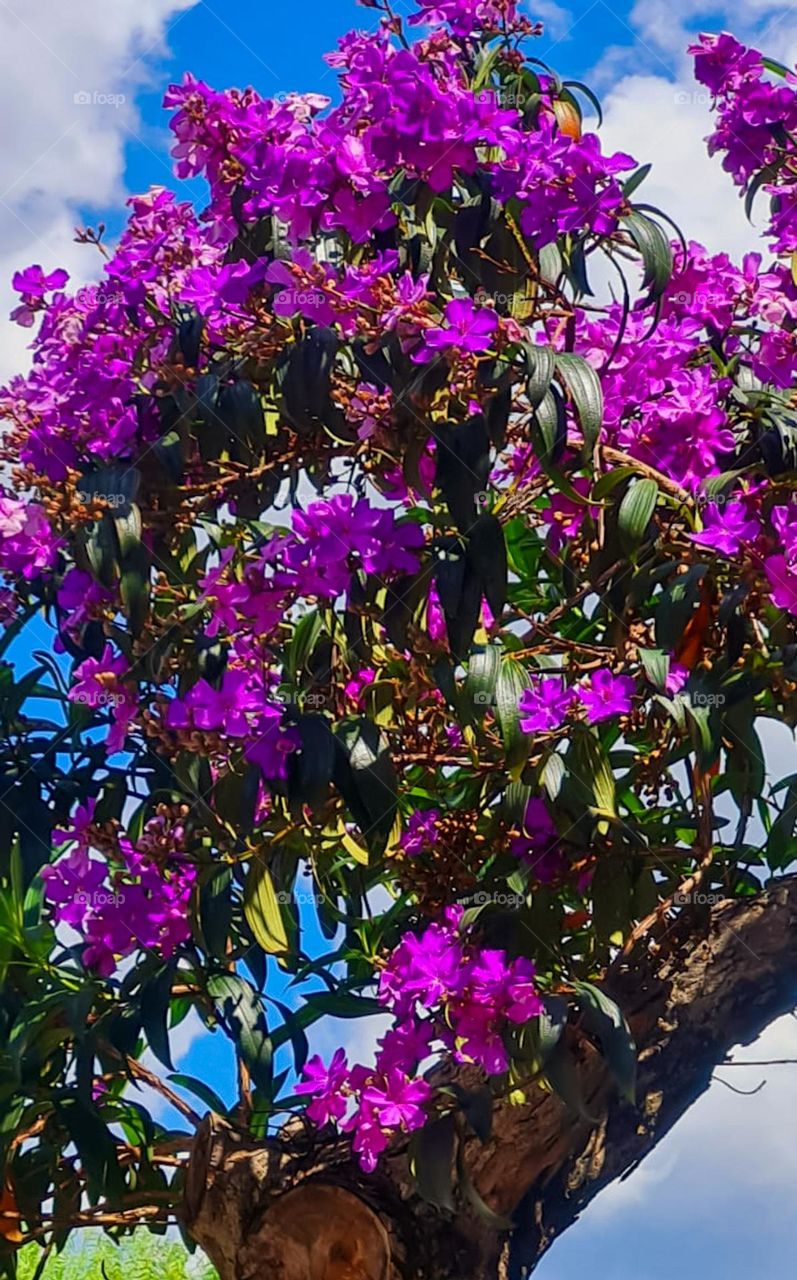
<point x="415" y="532"/>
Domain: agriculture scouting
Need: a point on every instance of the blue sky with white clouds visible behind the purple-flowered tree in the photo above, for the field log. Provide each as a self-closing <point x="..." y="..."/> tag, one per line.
<point x="716" y="1200"/>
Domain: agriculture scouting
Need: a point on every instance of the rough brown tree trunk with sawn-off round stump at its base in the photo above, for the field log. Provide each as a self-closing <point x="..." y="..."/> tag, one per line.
<point x="299" y="1209"/>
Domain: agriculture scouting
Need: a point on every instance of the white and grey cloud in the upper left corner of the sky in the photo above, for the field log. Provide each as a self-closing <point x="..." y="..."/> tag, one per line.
<point x="68" y="81"/>
